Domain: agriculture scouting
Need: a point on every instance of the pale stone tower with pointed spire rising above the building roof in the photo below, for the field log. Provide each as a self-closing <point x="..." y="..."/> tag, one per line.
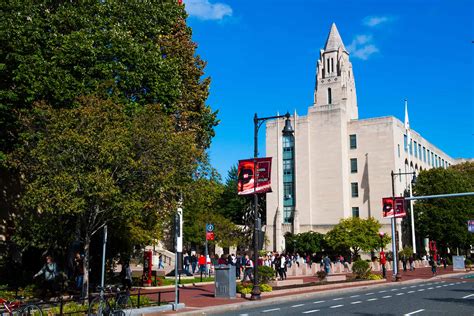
<point x="335" y="86"/>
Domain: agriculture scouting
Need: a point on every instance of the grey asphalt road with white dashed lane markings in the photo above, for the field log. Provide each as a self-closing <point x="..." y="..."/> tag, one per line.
<point x="437" y="297"/>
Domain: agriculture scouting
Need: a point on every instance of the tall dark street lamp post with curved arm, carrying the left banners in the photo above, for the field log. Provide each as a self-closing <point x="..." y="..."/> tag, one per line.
<point x="258" y="121"/>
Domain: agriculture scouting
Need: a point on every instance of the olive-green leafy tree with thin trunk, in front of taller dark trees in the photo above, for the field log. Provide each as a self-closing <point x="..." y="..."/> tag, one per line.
<point x="96" y="164"/>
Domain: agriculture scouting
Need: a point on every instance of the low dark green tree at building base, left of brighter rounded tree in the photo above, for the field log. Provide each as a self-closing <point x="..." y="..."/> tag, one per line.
<point x="308" y="242"/>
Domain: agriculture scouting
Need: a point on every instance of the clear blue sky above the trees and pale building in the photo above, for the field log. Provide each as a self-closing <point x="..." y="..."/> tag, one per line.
<point x="262" y="55"/>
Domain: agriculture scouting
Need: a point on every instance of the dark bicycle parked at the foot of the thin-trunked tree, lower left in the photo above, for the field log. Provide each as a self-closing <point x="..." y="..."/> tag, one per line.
<point x="104" y="304"/>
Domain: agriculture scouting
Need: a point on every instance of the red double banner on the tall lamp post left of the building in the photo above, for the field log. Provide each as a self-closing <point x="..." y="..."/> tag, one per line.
<point x="246" y="176"/>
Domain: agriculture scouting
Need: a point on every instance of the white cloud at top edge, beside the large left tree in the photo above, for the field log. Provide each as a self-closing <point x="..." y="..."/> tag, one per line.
<point x="204" y="10"/>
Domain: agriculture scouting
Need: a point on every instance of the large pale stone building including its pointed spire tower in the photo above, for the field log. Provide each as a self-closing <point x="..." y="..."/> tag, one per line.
<point x="335" y="165"/>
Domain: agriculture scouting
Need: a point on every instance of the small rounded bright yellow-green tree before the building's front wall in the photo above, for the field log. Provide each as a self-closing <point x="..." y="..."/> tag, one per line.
<point x="356" y="234"/>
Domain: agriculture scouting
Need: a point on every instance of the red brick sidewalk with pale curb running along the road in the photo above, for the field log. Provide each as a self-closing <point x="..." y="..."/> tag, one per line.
<point x="200" y="298"/>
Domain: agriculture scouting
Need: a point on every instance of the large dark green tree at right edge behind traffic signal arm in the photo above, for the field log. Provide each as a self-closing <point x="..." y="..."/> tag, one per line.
<point x="445" y="220"/>
